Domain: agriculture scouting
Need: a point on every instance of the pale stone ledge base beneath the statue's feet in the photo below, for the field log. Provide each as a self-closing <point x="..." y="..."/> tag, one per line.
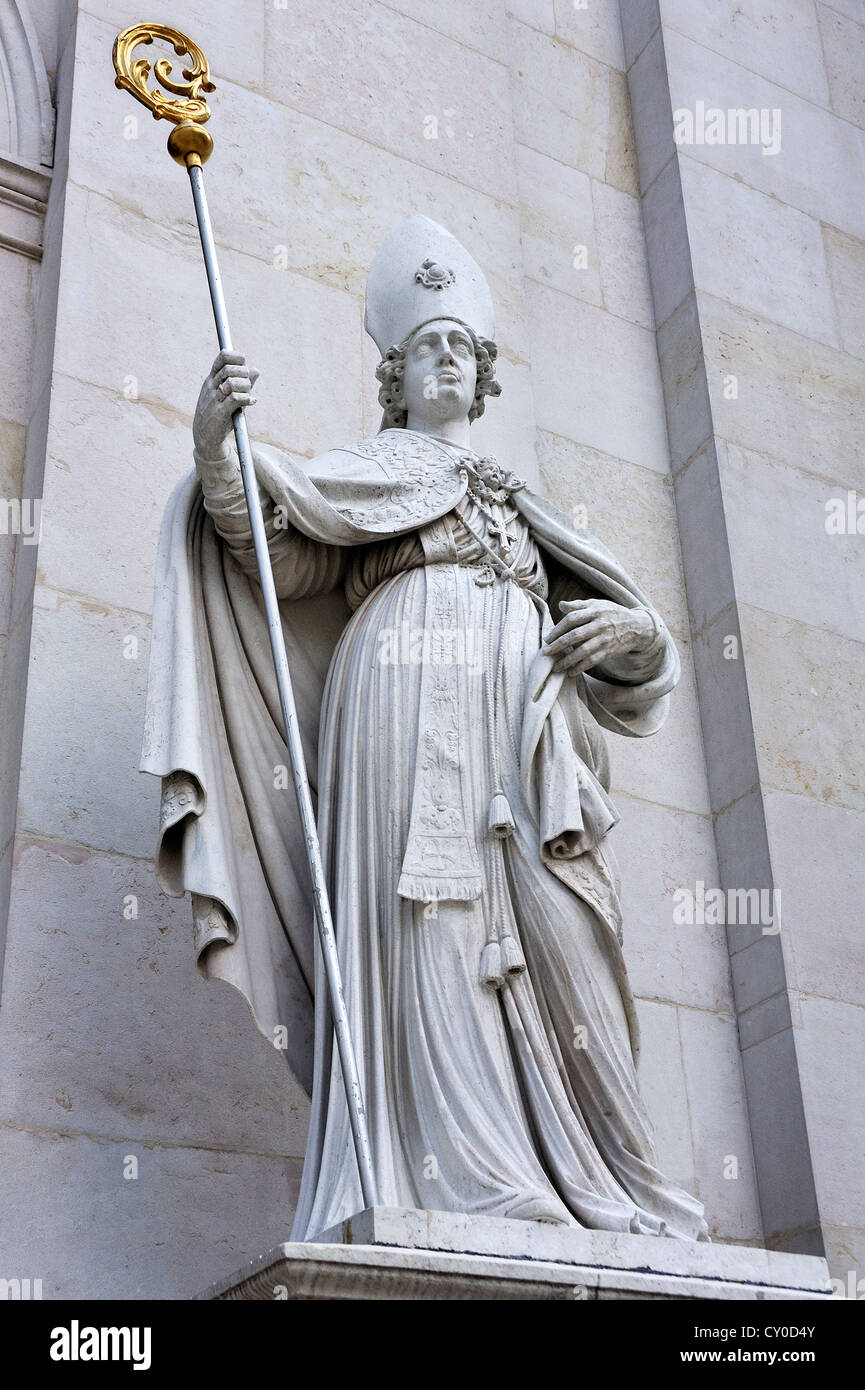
<point x="394" y="1253"/>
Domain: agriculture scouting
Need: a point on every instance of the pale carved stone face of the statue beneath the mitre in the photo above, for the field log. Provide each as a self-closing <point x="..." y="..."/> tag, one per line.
<point x="440" y="373"/>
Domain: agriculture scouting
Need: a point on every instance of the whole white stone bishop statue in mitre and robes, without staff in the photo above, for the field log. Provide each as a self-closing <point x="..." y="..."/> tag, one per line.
<point x="458" y="648"/>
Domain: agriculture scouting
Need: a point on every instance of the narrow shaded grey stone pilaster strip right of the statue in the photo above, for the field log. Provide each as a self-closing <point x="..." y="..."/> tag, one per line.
<point x="779" y="1134"/>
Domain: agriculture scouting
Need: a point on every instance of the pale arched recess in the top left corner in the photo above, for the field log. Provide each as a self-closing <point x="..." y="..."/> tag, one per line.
<point x="27" y="115"/>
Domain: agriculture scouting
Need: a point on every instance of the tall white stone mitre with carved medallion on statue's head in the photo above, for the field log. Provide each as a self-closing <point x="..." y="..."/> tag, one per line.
<point x="422" y="273"/>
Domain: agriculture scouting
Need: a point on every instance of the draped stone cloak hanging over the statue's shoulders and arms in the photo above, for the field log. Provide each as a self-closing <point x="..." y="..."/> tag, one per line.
<point x="229" y="826"/>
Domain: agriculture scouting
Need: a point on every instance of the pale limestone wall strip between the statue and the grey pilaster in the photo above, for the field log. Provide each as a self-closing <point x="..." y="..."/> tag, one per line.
<point x="603" y="450"/>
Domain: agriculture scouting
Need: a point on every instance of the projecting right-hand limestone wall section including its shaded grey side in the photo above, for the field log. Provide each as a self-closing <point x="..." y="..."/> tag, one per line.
<point x="756" y="245"/>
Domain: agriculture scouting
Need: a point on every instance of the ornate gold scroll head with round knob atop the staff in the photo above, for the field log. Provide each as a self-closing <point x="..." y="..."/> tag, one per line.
<point x="190" y="142"/>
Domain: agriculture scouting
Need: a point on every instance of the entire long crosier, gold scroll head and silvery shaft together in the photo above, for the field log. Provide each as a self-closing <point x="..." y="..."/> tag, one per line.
<point x="190" y="144"/>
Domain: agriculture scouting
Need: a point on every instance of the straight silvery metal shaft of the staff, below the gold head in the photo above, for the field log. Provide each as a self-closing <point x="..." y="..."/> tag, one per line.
<point x="290" y="717"/>
